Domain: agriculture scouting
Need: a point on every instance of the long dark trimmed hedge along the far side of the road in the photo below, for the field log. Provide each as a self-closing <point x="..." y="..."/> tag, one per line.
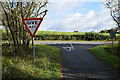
<point x="87" y="36"/>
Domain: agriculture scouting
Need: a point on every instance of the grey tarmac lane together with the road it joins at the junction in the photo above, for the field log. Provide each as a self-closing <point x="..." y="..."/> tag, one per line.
<point x="78" y="62"/>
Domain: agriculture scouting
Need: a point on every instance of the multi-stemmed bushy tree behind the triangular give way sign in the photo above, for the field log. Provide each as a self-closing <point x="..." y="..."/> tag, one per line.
<point x="13" y="13"/>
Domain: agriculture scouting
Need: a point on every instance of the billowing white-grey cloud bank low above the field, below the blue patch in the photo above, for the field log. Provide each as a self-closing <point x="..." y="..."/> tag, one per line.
<point x="90" y="22"/>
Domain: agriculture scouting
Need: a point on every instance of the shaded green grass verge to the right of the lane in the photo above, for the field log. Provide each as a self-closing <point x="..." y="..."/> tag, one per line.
<point x="105" y="53"/>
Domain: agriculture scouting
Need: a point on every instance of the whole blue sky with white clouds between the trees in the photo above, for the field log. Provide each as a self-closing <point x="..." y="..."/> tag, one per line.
<point x="83" y="16"/>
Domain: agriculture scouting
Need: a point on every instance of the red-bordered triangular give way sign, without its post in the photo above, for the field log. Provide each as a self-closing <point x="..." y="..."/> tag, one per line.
<point x="32" y="25"/>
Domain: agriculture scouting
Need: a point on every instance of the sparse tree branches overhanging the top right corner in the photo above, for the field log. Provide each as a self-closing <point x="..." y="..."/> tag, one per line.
<point x="114" y="6"/>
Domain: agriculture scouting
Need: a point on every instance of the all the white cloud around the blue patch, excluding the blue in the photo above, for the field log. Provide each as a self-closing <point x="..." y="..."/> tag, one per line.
<point x="62" y="17"/>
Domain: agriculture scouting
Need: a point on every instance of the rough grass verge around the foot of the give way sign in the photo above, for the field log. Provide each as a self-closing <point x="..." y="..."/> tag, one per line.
<point x="21" y="65"/>
